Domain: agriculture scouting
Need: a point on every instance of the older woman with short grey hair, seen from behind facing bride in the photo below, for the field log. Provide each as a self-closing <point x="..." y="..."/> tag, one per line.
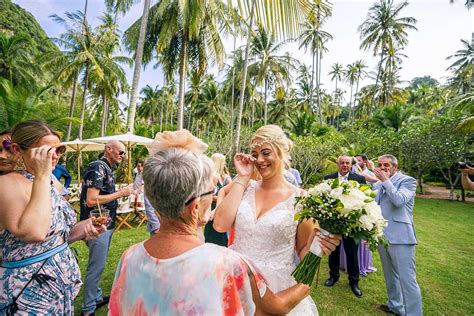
<point x="174" y="272"/>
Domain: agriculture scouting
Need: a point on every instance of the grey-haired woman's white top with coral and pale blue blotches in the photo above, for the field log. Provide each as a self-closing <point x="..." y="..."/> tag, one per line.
<point x="206" y="280"/>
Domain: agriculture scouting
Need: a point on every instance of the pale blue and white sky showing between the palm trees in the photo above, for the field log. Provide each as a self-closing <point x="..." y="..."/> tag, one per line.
<point x="441" y="26"/>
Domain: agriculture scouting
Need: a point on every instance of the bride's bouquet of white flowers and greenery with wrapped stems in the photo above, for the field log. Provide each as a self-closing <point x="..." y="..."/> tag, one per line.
<point x="345" y="208"/>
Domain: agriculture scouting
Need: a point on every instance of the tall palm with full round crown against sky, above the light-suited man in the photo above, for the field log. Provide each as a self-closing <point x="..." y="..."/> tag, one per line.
<point x="384" y="30"/>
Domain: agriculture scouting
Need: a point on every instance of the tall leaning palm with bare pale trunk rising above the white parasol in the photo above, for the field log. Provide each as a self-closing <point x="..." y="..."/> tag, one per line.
<point x="123" y="6"/>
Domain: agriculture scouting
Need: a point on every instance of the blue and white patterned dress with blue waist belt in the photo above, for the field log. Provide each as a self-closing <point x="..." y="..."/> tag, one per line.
<point x="53" y="292"/>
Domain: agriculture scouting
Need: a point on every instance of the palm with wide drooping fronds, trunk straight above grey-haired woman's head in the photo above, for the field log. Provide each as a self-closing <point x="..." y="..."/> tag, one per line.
<point x="185" y="32"/>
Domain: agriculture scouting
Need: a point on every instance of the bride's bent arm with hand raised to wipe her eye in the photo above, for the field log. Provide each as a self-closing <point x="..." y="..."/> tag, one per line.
<point x="226" y="211"/>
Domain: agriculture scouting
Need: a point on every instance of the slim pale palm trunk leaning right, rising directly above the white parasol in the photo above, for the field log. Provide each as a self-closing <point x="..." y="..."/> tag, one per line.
<point x="138" y="65"/>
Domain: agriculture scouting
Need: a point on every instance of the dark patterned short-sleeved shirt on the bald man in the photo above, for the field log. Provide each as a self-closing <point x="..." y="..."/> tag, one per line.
<point x="99" y="175"/>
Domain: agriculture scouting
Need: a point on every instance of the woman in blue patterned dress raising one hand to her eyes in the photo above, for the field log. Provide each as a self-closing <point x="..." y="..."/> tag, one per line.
<point x="38" y="273"/>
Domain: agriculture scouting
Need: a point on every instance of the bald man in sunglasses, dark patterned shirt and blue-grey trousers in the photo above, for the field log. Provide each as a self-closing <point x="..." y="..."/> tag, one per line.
<point x="99" y="187"/>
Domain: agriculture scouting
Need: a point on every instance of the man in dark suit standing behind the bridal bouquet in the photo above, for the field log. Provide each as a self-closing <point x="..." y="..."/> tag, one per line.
<point x="350" y="247"/>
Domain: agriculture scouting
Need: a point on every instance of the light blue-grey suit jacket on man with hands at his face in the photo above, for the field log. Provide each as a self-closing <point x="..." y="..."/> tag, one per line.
<point x="396" y="198"/>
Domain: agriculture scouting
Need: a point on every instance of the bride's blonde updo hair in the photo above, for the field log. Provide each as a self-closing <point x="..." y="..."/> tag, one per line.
<point x="275" y="137"/>
